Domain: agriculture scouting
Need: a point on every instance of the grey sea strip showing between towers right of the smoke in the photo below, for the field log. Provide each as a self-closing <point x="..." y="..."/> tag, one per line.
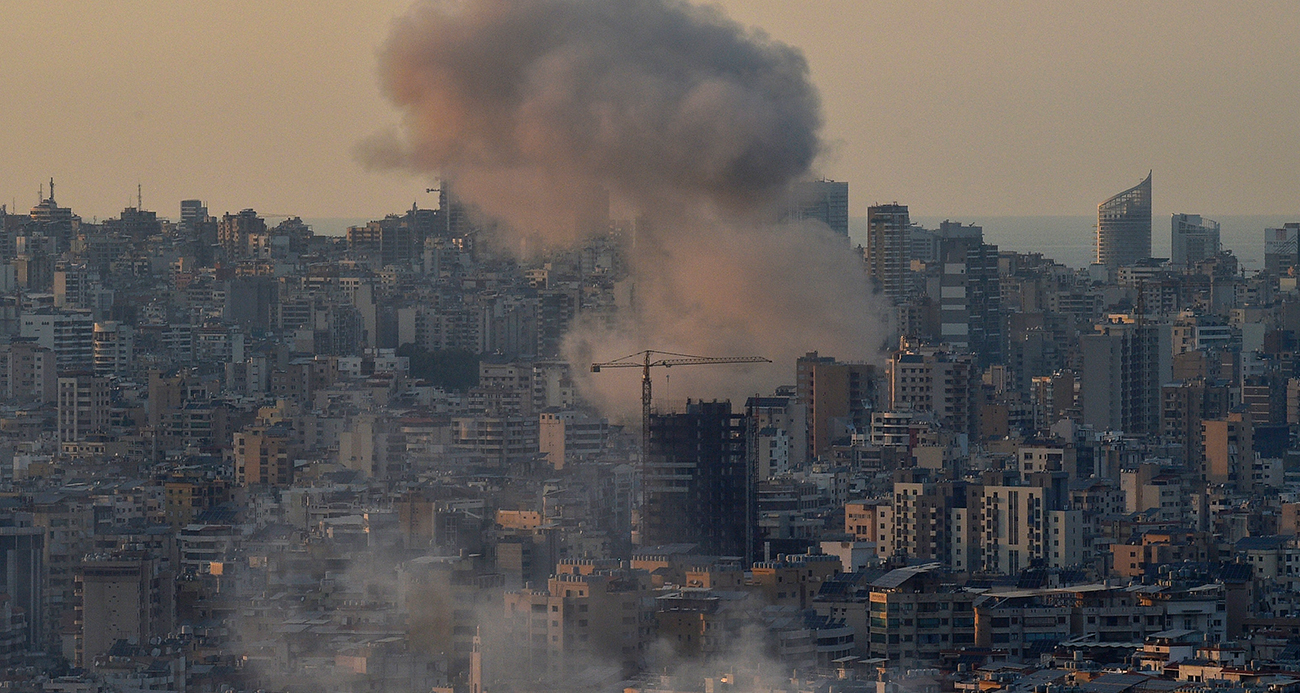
<point x="1072" y="241"/>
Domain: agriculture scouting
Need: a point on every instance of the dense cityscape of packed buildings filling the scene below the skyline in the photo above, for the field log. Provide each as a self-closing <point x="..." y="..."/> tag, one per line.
<point x="240" y="456"/>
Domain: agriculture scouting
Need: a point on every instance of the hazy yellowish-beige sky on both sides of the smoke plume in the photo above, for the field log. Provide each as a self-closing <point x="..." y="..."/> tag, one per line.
<point x="957" y="110"/>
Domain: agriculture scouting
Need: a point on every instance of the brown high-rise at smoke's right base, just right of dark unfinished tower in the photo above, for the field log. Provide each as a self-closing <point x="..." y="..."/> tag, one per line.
<point x="839" y="399"/>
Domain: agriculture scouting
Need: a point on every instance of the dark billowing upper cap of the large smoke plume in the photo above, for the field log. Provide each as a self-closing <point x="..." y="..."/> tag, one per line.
<point x="539" y="101"/>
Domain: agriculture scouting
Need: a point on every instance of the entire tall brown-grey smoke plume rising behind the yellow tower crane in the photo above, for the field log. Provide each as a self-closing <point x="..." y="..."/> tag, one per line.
<point x="684" y="118"/>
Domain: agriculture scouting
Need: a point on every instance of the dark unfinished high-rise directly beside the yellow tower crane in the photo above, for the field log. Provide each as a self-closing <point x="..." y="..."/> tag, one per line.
<point x="699" y="487"/>
